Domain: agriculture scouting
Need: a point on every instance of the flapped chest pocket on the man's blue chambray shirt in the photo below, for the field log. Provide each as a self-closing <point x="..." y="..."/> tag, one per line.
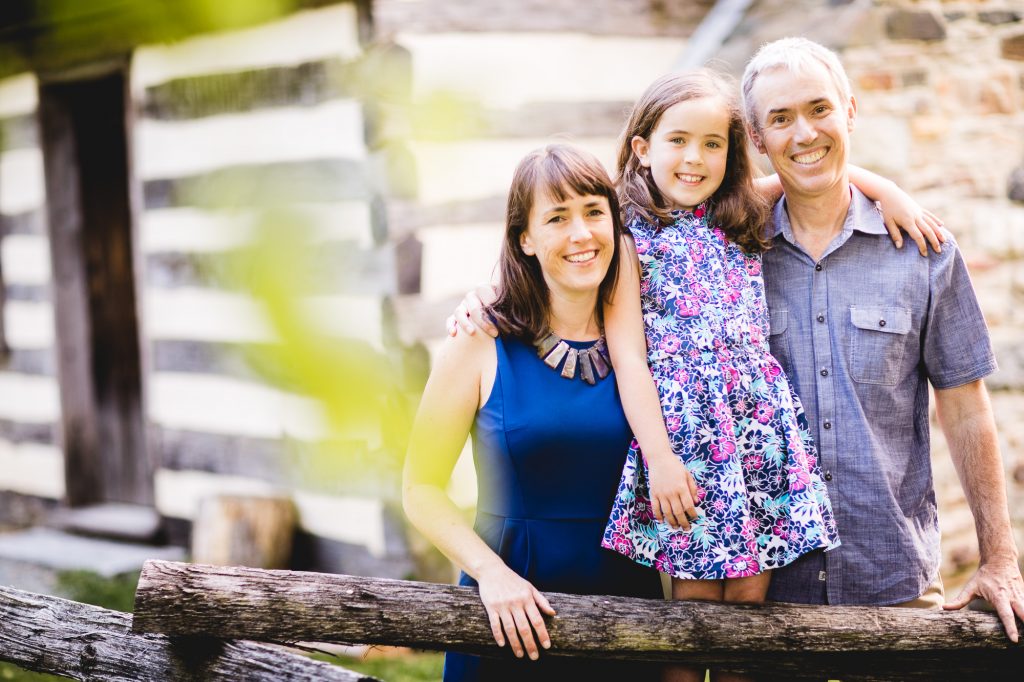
<point x="879" y="340"/>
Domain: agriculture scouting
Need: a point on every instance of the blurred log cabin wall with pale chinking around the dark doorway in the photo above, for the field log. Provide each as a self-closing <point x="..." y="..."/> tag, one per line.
<point x="246" y="109"/>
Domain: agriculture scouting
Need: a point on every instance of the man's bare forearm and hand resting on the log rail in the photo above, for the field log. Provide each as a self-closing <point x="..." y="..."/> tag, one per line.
<point x="966" y="417"/>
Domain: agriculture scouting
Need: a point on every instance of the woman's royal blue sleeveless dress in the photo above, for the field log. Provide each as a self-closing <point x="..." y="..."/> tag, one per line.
<point x="549" y="454"/>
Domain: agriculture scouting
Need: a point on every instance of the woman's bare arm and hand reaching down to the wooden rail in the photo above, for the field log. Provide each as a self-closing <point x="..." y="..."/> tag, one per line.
<point x="443" y="424"/>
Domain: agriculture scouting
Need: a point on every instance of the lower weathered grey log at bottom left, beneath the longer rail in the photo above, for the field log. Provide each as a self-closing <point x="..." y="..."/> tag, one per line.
<point x="50" y="635"/>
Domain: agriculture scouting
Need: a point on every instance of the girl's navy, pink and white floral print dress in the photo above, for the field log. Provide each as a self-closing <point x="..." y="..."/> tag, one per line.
<point x="732" y="415"/>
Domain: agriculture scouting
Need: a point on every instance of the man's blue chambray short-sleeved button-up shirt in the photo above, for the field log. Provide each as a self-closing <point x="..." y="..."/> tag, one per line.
<point x="861" y="333"/>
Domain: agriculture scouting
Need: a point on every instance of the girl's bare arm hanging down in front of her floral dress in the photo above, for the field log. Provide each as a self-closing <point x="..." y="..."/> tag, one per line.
<point x="673" y="490"/>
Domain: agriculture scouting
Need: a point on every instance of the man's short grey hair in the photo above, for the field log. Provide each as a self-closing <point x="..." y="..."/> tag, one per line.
<point x="796" y="56"/>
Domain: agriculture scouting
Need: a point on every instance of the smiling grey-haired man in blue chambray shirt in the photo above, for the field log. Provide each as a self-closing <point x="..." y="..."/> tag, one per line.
<point x="862" y="328"/>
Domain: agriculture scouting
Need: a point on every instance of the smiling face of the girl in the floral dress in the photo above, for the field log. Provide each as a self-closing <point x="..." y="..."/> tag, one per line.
<point x="688" y="151"/>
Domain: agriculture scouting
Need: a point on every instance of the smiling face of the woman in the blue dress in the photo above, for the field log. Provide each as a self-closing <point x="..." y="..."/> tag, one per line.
<point x="573" y="240"/>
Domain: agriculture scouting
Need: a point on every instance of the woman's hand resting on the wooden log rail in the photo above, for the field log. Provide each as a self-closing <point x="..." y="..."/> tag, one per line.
<point x="515" y="607"/>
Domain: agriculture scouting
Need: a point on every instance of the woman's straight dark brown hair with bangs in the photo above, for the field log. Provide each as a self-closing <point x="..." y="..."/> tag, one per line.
<point x="523" y="307"/>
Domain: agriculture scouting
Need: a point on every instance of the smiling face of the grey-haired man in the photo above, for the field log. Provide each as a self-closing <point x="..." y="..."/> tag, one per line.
<point x="803" y="125"/>
